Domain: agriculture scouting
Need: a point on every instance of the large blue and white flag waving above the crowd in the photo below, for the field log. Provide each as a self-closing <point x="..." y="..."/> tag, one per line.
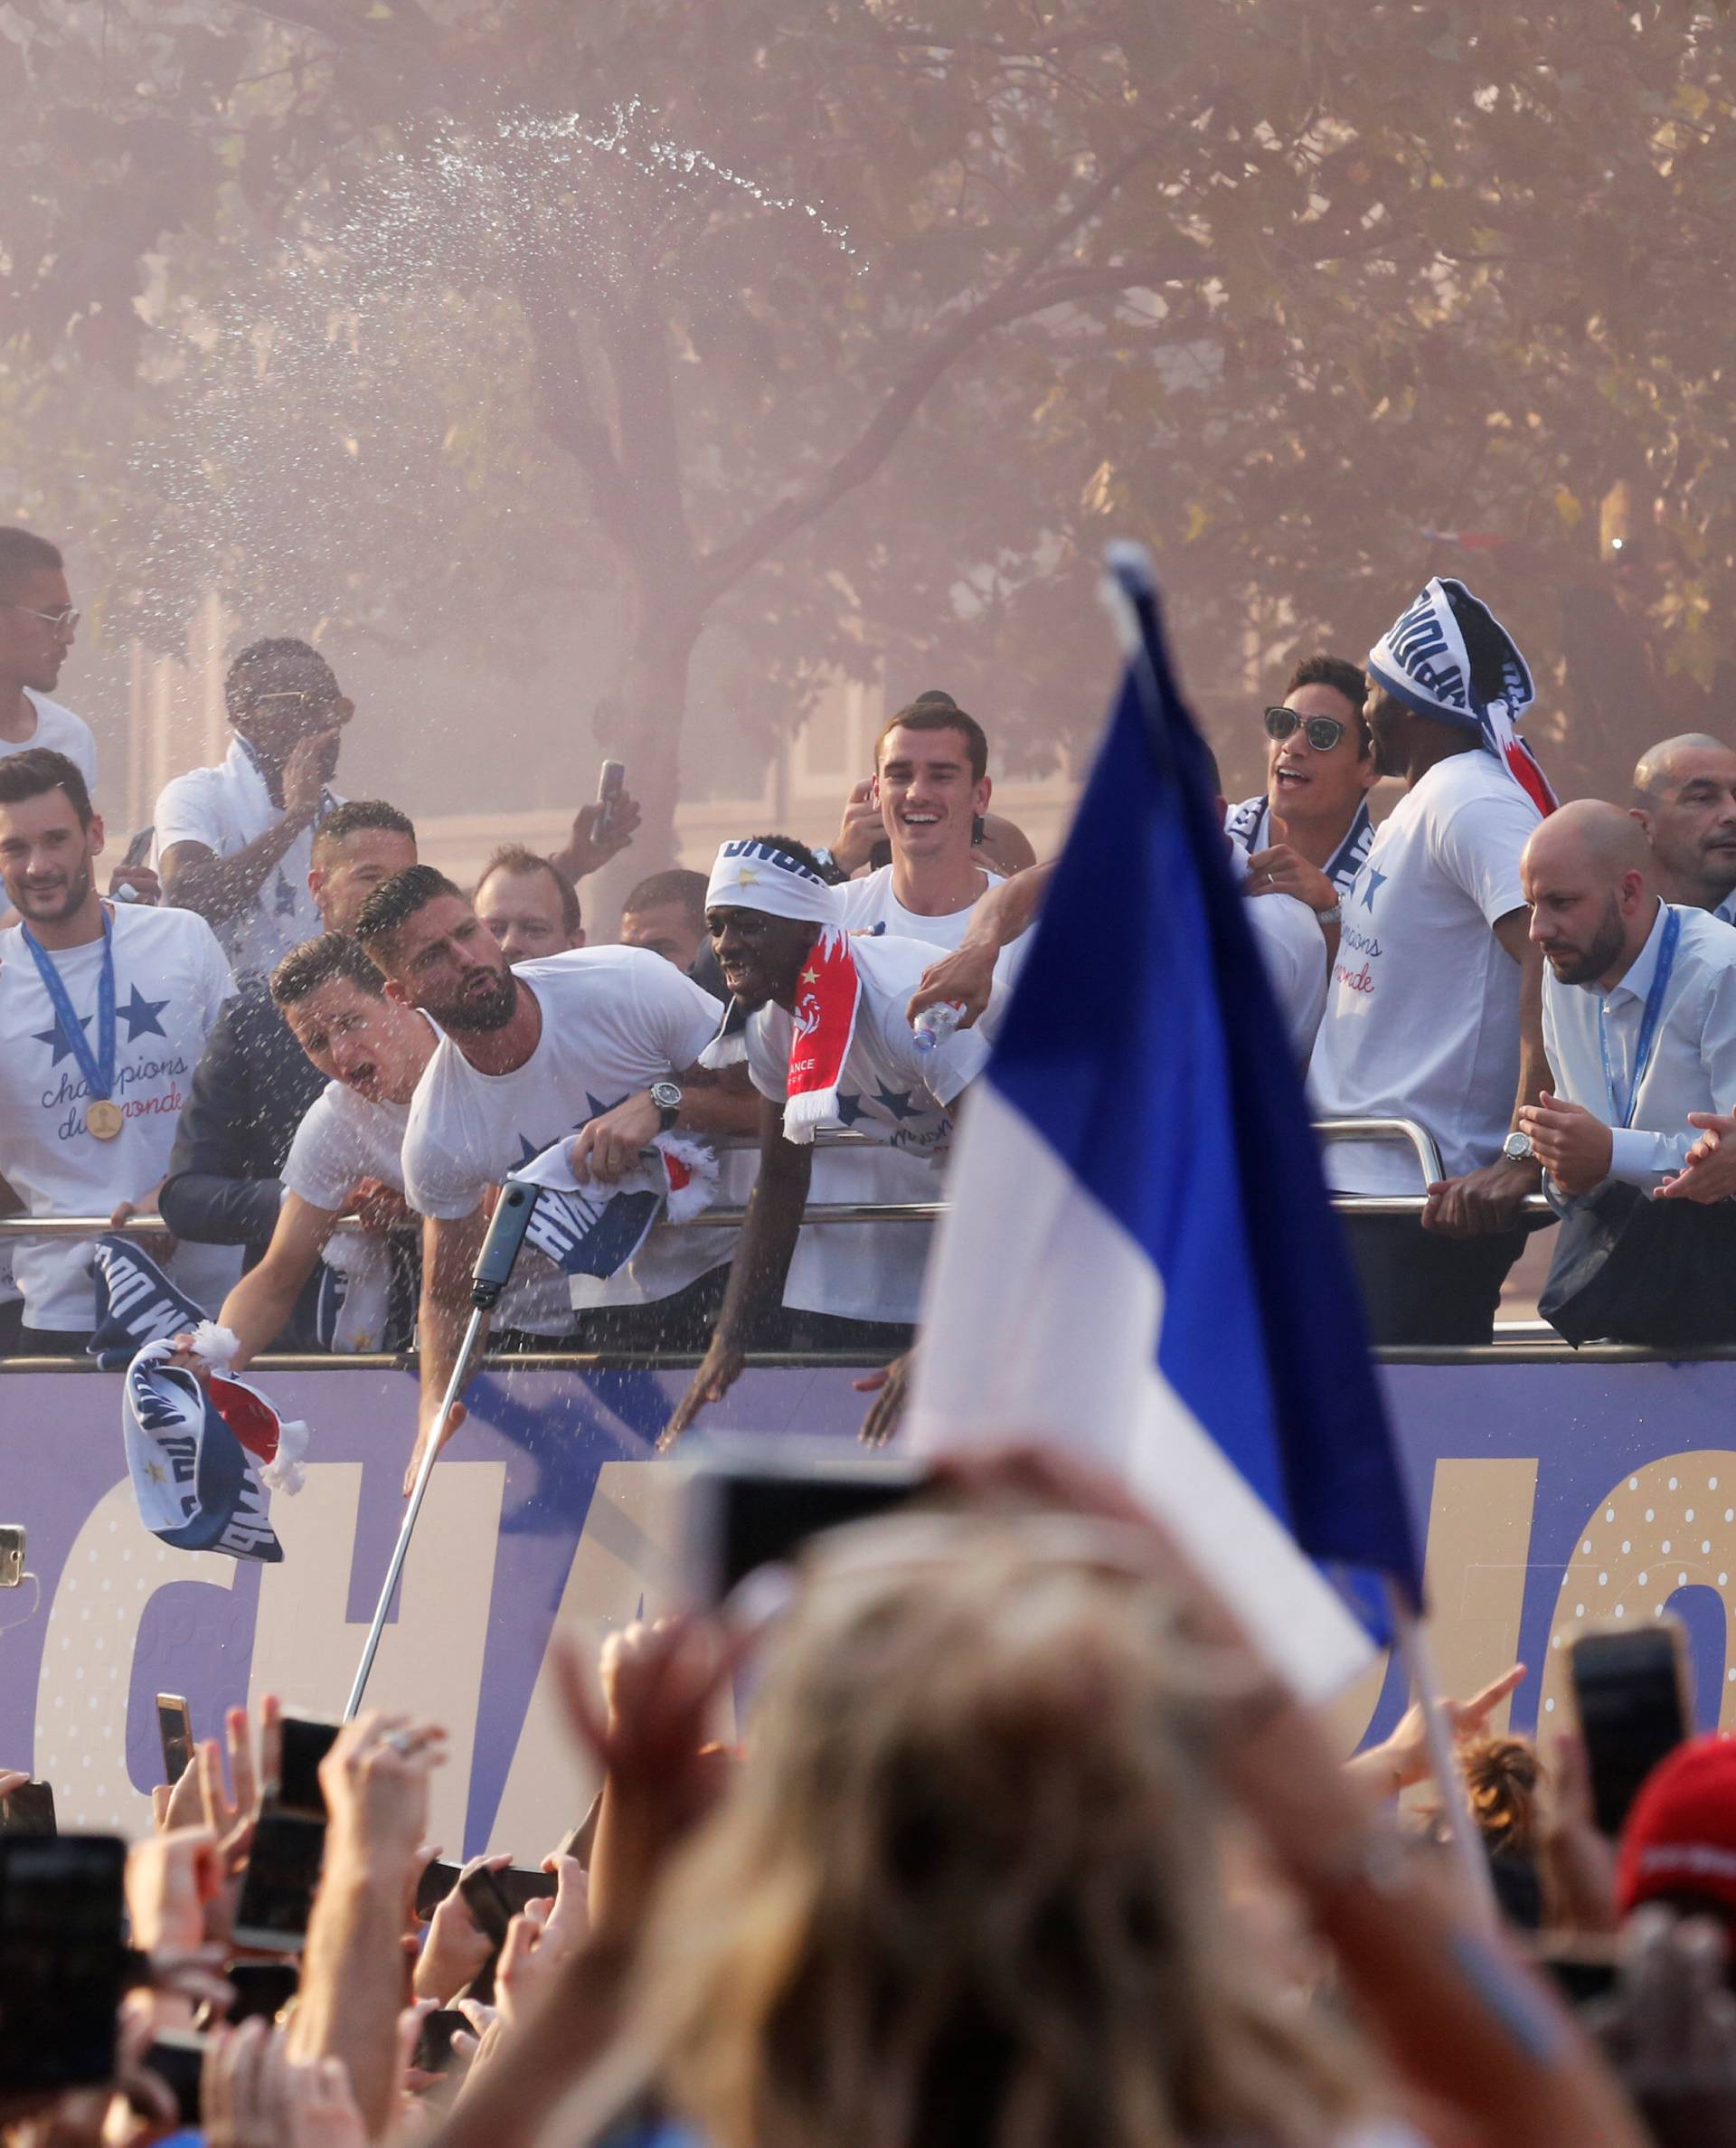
<point x="1142" y="1262"/>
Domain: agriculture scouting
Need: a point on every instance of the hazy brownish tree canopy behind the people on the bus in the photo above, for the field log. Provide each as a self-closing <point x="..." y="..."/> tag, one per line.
<point x="841" y="336"/>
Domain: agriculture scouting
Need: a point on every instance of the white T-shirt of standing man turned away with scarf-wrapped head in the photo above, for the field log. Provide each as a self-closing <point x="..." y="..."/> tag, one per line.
<point x="1423" y="1015"/>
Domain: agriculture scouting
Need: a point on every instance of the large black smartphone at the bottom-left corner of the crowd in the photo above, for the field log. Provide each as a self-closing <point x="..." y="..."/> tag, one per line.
<point x="63" y="1964"/>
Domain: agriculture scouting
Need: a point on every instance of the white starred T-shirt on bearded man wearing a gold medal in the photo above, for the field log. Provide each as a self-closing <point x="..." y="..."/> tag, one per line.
<point x="171" y="983"/>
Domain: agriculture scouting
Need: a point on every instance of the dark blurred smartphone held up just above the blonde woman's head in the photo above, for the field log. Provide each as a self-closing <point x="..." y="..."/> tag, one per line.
<point x="755" y="1503"/>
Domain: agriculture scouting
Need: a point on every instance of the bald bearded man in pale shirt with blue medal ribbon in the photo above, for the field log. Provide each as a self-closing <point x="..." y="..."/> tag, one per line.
<point x="1638" y="1006"/>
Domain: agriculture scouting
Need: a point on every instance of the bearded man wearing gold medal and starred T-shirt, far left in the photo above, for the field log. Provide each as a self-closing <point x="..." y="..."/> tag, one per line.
<point x="106" y="1011"/>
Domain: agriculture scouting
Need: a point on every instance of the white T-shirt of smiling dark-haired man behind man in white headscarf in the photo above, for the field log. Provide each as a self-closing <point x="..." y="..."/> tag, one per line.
<point x="873" y="1271"/>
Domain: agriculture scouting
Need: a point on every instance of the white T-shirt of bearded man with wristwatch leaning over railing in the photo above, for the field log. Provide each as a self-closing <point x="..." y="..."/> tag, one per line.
<point x="616" y="1019"/>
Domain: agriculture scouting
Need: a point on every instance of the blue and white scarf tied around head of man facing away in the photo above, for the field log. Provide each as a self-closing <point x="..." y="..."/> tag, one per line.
<point x="1449" y="658"/>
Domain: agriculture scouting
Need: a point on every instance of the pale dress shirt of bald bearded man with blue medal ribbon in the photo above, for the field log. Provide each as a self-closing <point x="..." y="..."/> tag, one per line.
<point x="1694" y="1058"/>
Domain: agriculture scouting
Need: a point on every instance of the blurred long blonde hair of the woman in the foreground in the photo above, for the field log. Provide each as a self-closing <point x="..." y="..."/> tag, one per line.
<point x="966" y="1891"/>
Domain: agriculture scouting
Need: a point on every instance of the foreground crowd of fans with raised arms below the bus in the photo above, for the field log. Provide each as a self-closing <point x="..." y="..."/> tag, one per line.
<point x="996" y="1831"/>
